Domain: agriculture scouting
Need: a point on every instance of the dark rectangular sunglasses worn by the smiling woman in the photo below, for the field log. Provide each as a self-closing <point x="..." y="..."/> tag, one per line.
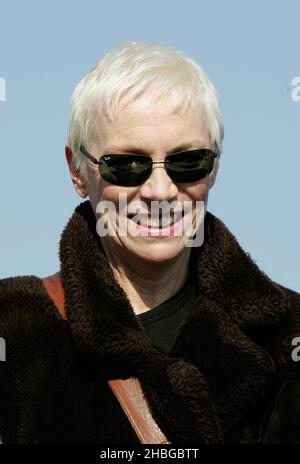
<point x="131" y="170"/>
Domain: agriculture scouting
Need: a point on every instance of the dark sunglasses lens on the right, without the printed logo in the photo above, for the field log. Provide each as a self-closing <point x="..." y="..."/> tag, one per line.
<point x="190" y="166"/>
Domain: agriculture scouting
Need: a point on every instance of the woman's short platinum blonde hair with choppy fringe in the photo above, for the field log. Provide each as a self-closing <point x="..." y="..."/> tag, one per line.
<point x="127" y="72"/>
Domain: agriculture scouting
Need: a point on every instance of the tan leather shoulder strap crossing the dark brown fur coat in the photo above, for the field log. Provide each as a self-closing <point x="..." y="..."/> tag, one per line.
<point x="128" y="392"/>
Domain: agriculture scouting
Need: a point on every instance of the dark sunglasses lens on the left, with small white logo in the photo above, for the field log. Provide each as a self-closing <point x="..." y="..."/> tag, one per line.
<point x="125" y="170"/>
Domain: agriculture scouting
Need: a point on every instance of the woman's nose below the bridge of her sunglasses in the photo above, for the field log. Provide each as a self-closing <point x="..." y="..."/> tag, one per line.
<point x="159" y="186"/>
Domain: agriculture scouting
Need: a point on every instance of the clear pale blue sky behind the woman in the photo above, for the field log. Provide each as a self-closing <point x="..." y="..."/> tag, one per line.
<point x="250" y="51"/>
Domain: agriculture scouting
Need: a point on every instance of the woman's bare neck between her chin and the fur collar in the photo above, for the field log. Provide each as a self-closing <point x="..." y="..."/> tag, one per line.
<point x="149" y="284"/>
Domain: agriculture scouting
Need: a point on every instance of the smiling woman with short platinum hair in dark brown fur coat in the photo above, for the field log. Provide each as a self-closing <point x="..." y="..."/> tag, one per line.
<point x="174" y="302"/>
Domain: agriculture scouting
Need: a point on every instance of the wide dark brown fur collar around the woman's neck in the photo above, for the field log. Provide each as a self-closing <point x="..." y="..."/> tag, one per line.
<point x="217" y="369"/>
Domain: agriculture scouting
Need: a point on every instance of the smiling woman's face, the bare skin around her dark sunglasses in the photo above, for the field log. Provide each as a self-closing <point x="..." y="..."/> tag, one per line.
<point x="154" y="129"/>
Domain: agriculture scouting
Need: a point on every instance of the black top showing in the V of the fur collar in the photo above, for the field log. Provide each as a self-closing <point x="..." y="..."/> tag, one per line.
<point x="161" y="324"/>
